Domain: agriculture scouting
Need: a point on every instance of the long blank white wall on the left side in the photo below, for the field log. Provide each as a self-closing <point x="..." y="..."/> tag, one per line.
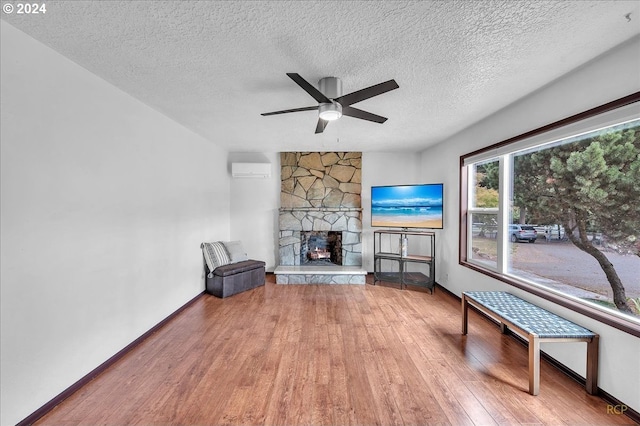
<point x="104" y="204"/>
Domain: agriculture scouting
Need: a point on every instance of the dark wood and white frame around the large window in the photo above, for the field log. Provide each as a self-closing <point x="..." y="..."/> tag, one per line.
<point x="609" y="318"/>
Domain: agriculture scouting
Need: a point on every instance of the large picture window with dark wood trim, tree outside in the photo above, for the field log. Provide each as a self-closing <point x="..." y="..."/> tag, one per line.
<point x="557" y="212"/>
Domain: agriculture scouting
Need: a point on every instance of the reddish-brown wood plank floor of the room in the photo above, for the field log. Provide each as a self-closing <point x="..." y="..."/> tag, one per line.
<point x="328" y="355"/>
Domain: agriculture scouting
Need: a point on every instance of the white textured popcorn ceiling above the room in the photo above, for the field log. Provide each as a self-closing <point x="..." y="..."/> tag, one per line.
<point x="214" y="66"/>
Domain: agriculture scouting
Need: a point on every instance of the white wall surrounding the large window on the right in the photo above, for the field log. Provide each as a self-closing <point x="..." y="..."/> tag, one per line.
<point x="607" y="78"/>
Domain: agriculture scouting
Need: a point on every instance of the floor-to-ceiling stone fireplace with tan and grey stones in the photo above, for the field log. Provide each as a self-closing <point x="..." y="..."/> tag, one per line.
<point x="320" y="201"/>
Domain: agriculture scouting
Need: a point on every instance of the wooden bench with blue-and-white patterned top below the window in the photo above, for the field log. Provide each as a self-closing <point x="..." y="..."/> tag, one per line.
<point x="539" y="325"/>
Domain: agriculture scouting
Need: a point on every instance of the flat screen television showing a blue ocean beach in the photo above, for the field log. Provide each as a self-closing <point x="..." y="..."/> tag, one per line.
<point x="407" y="206"/>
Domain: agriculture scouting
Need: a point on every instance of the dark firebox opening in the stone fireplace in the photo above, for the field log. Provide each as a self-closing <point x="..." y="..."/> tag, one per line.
<point x="321" y="248"/>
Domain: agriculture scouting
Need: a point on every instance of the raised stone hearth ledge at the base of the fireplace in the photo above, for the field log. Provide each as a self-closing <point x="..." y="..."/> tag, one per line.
<point x="320" y="275"/>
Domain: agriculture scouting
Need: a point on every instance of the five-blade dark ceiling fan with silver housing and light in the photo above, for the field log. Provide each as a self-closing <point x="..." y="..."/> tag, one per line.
<point x="332" y="104"/>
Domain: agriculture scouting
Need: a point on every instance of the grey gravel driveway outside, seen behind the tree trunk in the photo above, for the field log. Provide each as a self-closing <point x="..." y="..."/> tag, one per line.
<point x="564" y="262"/>
